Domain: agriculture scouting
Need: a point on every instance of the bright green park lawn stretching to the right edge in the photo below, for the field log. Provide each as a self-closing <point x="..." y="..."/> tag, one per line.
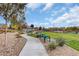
<point x="71" y="39"/>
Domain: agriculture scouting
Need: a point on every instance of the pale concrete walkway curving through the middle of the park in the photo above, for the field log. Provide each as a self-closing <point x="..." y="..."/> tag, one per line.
<point x="33" y="47"/>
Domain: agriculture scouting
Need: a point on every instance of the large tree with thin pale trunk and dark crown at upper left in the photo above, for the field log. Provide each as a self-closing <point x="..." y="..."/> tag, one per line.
<point x="8" y="10"/>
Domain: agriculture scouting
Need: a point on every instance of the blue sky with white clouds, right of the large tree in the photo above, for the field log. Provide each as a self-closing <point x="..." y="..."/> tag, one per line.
<point x="53" y="14"/>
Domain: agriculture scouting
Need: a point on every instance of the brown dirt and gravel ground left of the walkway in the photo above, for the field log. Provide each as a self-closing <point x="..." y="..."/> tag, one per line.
<point x="12" y="45"/>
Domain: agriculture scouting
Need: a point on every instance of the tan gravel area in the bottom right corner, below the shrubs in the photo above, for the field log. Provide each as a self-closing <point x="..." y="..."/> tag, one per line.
<point x="64" y="51"/>
